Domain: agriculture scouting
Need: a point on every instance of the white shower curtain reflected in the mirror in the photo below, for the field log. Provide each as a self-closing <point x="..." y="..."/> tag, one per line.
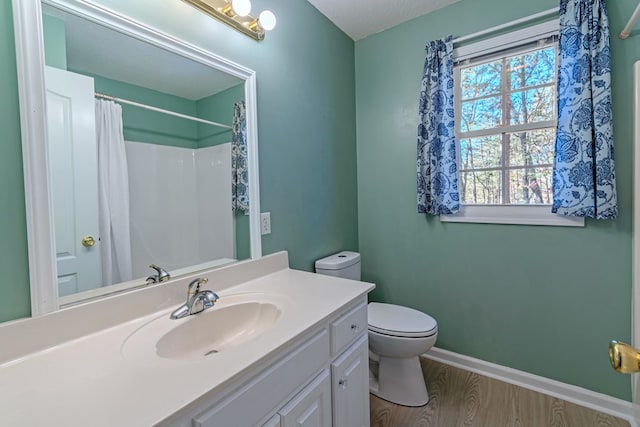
<point x="113" y="194"/>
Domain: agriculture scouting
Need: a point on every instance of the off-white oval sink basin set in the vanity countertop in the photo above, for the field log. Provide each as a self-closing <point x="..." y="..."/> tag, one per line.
<point x="233" y="321"/>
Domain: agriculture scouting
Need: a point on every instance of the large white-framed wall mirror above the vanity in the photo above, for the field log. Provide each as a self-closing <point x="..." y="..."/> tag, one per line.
<point x="138" y="148"/>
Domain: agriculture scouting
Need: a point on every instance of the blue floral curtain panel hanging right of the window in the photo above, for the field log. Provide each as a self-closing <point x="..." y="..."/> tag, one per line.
<point x="584" y="181"/>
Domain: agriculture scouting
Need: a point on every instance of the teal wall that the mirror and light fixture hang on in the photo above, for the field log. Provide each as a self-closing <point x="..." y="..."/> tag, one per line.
<point x="306" y="115"/>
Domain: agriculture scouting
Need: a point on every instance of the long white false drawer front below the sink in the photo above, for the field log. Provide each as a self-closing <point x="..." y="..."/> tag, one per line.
<point x="248" y="405"/>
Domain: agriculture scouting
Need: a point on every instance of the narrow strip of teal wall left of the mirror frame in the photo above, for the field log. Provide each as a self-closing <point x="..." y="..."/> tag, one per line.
<point x="14" y="286"/>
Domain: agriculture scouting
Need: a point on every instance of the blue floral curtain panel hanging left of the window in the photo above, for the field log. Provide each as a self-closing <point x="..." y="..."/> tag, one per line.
<point x="437" y="168"/>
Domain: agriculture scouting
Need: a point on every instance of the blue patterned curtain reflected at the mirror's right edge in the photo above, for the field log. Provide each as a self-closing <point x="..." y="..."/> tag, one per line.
<point x="240" y="175"/>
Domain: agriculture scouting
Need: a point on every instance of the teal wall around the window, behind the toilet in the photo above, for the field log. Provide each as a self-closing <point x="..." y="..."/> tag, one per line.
<point x="545" y="300"/>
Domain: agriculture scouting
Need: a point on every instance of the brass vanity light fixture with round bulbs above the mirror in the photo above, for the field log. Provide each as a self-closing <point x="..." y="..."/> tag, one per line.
<point x="235" y="13"/>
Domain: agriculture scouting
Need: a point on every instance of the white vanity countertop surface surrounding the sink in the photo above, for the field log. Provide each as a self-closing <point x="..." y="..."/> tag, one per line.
<point x="87" y="380"/>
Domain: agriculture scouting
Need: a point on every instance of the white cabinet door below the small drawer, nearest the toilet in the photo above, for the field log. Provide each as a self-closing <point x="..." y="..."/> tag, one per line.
<point x="350" y="386"/>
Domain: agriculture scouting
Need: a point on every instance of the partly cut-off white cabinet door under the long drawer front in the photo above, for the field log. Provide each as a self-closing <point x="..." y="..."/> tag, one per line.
<point x="312" y="406"/>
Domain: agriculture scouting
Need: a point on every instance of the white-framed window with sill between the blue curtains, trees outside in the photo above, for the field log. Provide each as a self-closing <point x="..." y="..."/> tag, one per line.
<point x="505" y="109"/>
